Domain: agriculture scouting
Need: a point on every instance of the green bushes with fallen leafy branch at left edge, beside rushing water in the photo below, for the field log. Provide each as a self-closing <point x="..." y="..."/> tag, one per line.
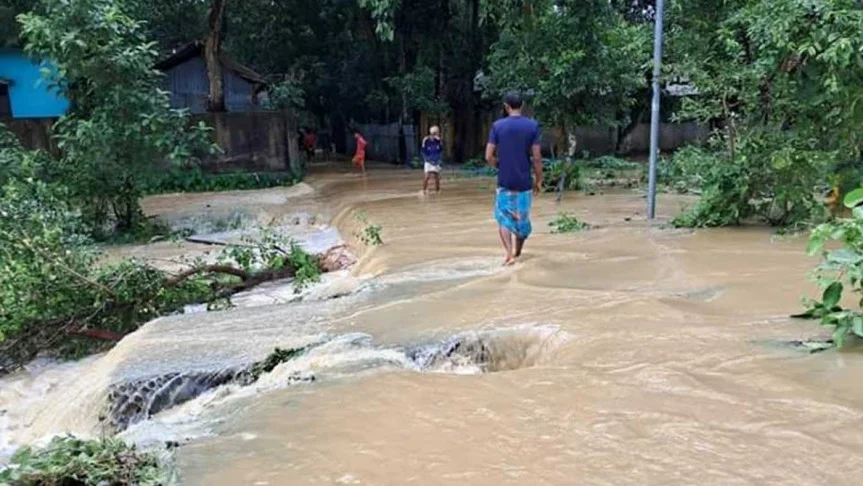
<point x="53" y="291"/>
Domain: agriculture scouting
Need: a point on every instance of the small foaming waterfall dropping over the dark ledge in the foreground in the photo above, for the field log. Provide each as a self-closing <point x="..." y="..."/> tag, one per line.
<point x="136" y="401"/>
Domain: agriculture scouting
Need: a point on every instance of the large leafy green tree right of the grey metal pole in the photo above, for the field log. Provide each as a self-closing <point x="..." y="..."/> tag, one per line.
<point x="781" y="83"/>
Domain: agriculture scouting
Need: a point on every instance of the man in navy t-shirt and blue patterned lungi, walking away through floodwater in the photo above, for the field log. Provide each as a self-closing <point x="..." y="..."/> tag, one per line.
<point x="513" y="147"/>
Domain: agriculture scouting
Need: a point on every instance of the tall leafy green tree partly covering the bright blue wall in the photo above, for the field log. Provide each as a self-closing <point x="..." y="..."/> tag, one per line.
<point x="121" y="126"/>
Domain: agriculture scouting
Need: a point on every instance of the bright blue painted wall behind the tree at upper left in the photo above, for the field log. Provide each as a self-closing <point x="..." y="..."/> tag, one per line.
<point x="29" y="93"/>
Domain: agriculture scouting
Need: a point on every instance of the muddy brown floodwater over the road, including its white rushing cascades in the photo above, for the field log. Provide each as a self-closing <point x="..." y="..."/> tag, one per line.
<point x="627" y="354"/>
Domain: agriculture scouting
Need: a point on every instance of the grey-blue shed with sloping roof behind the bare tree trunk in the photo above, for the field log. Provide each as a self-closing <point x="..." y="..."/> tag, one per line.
<point x="187" y="82"/>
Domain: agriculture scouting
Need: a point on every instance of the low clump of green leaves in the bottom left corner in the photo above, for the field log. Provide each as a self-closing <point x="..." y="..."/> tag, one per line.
<point x="72" y="461"/>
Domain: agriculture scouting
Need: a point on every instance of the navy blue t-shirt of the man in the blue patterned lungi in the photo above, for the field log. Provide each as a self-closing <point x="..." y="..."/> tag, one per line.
<point x="514" y="137"/>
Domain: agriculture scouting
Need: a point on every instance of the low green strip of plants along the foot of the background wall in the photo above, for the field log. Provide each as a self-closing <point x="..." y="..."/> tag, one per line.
<point x="195" y="180"/>
